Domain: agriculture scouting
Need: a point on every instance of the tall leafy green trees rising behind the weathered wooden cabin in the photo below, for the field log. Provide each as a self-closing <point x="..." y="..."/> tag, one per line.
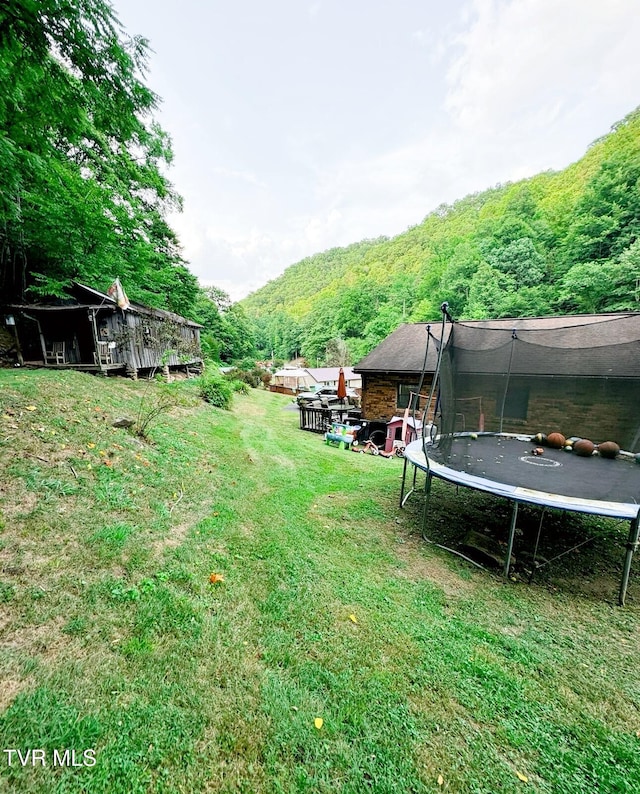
<point x="83" y="194"/>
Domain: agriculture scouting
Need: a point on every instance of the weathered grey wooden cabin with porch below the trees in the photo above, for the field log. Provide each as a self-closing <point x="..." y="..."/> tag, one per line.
<point x="88" y="331"/>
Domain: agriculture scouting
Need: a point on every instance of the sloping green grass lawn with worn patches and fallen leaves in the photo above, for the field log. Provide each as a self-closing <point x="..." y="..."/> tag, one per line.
<point x="334" y="650"/>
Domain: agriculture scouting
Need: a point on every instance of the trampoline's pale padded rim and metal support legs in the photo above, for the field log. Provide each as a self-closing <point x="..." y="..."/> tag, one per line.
<point x="416" y="454"/>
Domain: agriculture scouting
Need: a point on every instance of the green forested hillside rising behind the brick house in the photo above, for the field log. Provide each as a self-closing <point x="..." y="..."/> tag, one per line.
<point x="564" y="242"/>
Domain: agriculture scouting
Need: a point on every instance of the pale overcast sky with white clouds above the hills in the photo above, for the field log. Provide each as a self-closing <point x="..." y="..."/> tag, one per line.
<point x="302" y="125"/>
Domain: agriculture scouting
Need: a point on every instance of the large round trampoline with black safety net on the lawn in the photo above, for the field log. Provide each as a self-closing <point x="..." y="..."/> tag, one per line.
<point x="483" y="372"/>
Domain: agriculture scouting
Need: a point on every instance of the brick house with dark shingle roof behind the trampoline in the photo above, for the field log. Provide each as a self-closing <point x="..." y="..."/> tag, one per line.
<point x="579" y="374"/>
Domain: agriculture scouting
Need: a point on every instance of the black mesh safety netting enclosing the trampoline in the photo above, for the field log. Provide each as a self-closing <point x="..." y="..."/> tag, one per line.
<point x="580" y="381"/>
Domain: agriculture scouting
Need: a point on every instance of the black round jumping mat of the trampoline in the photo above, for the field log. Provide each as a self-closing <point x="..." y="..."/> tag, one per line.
<point x="509" y="460"/>
